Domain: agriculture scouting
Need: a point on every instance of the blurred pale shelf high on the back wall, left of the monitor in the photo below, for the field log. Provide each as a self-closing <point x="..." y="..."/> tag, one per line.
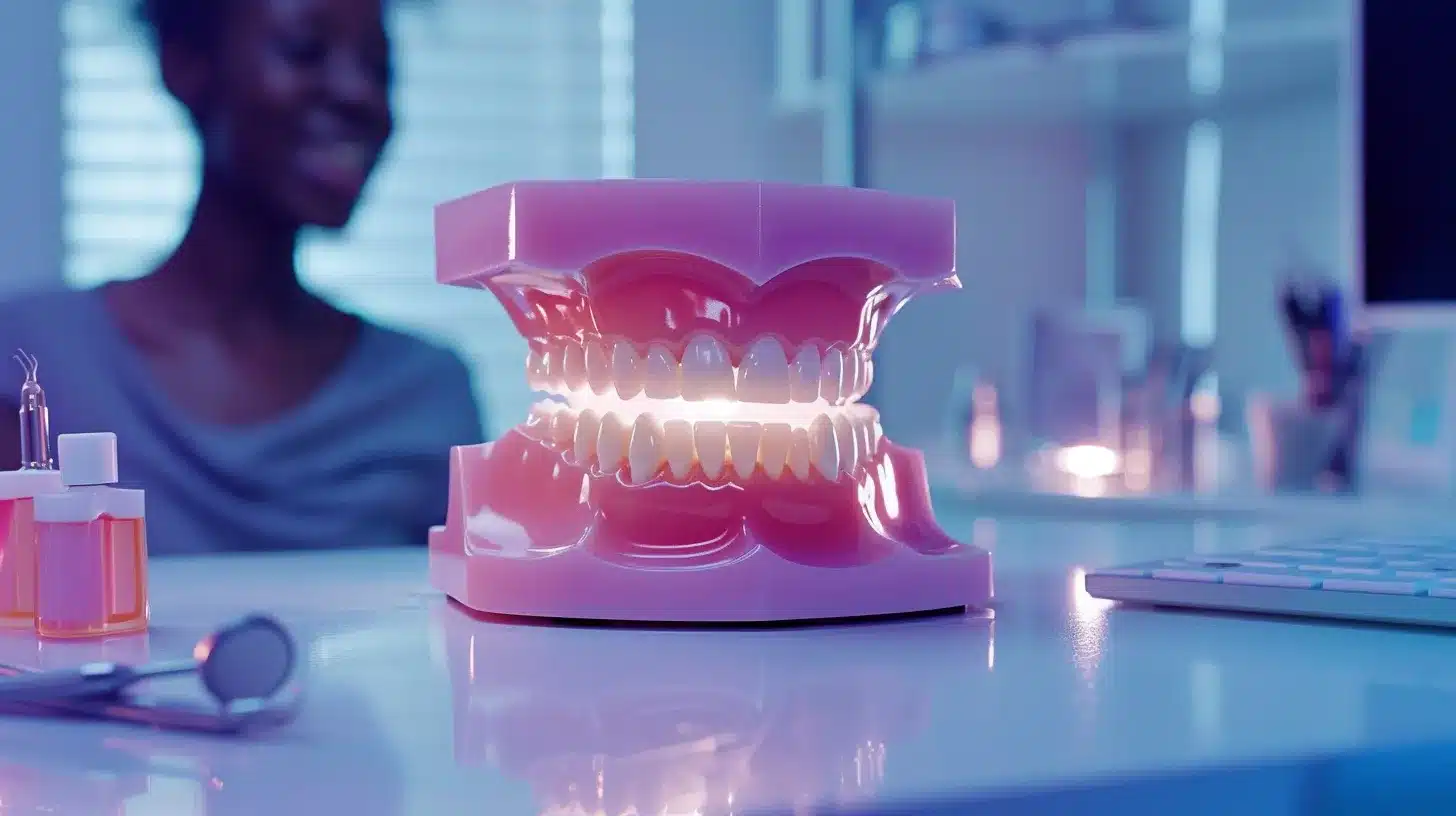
<point x="1119" y="75"/>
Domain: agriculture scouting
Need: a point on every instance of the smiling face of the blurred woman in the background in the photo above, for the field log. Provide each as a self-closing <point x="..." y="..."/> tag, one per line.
<point x="295" y="110"/>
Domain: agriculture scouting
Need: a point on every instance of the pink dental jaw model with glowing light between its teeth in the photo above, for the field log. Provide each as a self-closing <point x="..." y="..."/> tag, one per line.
<point x="700" y="455"/>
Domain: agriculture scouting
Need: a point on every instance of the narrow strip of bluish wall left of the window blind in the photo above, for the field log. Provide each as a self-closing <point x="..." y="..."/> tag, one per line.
<point x="30" y="146"/>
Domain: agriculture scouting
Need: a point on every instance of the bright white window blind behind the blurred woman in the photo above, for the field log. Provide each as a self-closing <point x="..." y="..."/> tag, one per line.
<point x="488" y="91"/>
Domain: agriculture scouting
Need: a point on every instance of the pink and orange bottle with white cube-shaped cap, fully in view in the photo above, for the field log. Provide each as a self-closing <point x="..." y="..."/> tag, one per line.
<point x="91" y="547"/>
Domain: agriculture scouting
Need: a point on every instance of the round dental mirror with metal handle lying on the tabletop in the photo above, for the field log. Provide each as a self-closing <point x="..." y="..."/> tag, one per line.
<point x="251" y="659"/>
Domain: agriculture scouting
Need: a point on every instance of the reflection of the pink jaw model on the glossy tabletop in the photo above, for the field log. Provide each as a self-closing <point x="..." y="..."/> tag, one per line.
<point x="617" y="722"/>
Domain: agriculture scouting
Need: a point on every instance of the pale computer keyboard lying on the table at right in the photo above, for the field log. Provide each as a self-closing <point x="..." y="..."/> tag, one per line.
<point x="1396" y="581"/>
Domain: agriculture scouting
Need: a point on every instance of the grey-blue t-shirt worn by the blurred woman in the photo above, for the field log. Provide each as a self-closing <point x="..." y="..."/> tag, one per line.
<point x="363" y="463"/>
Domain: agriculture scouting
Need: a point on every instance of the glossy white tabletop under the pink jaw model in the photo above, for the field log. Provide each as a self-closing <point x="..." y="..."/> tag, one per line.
<point x="417" y="709"/>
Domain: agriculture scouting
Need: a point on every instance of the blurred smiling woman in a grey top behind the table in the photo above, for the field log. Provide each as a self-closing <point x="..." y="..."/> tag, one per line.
<point x="256" y="415"/>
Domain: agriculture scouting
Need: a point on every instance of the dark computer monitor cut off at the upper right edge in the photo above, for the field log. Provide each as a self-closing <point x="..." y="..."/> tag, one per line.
<point x="1401" y="122"/>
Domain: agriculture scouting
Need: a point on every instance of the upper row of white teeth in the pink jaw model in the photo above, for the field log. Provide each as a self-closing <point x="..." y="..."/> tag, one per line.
<point x="768" y="374"/>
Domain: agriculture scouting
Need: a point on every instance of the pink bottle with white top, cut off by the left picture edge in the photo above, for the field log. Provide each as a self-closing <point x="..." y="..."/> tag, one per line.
<point x="18" y="492"/>
